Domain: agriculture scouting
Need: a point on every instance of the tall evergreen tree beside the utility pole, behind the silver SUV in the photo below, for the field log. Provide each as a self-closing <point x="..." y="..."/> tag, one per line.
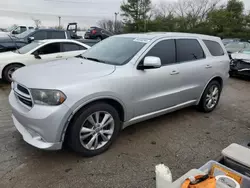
<point x="135" y="13"/>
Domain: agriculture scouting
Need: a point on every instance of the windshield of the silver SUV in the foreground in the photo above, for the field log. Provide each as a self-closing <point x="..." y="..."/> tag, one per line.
<point x="115" y="50"/>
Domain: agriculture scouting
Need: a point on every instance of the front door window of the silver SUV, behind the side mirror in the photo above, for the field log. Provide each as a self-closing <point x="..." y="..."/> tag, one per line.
<point x="165" y="50"/>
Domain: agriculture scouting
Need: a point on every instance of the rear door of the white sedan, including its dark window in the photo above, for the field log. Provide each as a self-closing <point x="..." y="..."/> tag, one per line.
<point x="71" y="49"/>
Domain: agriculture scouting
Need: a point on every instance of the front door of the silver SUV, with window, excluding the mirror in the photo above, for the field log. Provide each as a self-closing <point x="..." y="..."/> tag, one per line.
<point x="157" y="89"/>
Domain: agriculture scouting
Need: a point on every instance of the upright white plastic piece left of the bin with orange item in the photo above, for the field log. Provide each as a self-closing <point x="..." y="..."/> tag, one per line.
<point x="163" y="176"/>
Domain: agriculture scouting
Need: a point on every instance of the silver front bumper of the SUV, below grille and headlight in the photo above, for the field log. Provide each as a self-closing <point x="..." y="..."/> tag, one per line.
<point x="41" y="126"/>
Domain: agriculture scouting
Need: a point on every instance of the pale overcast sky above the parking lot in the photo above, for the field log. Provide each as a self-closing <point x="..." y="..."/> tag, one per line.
<point x="85" y="12"/>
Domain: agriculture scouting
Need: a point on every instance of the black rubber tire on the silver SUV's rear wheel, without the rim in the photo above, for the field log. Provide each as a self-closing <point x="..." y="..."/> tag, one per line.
<point x="202" y="106"/>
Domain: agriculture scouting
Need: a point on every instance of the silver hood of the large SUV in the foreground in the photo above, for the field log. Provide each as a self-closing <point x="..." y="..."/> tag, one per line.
<point x="62" y="73"/>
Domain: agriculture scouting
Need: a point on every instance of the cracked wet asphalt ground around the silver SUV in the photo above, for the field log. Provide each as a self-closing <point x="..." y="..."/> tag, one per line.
<point x="181" y="140"/>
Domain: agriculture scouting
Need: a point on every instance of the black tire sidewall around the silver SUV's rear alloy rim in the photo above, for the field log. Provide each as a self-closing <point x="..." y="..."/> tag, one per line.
<point x="203" y="100"/>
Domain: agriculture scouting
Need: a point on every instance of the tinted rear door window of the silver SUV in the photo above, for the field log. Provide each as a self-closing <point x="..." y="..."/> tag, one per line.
<point x="188" y="50"/>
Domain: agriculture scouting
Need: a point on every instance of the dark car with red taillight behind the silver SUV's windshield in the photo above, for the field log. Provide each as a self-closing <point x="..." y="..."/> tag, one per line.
<point x="97" y="33"/>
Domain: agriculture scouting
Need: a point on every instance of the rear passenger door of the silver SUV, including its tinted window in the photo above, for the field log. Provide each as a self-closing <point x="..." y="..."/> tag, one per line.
<point x="194" y="67"/>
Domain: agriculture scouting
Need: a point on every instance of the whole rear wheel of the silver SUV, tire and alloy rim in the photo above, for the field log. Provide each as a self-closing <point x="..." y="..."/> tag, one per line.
<point x="210" y="97"/>
